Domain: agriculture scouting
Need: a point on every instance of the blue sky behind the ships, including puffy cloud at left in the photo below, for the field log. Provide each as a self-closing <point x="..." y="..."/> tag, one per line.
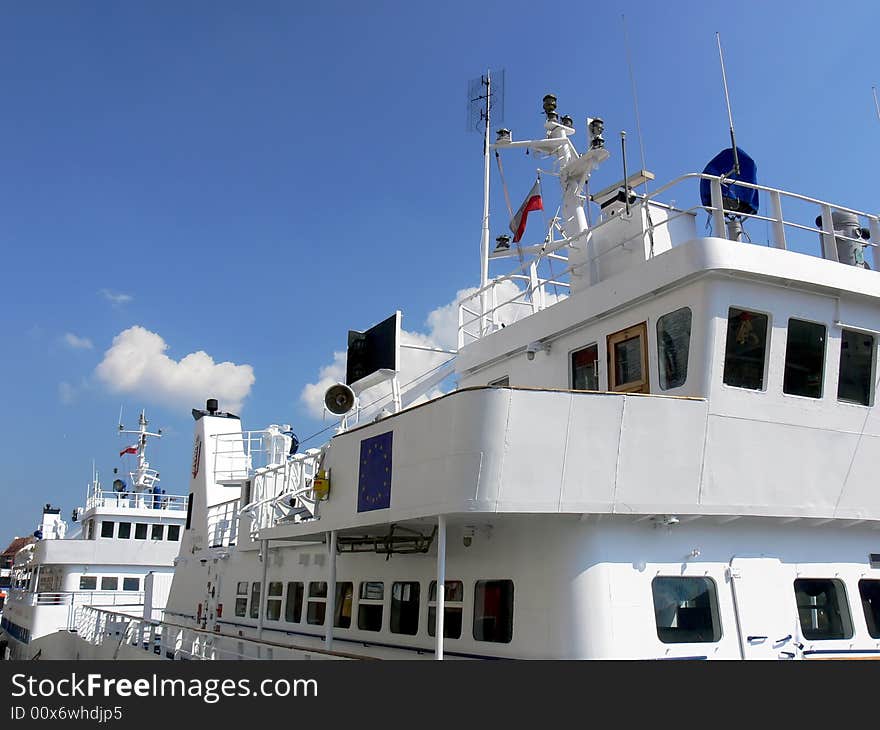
<point x="251" y="180"/>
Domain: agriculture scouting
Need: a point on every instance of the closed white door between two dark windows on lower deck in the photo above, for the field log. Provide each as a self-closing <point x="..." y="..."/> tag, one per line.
<point x="763" y="595"/>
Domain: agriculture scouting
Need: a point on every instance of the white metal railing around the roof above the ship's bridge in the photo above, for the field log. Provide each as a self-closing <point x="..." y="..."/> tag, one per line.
<point x="473" y="323"/>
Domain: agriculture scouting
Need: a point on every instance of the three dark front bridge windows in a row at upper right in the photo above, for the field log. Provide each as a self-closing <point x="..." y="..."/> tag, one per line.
<point x="745" y="357"/>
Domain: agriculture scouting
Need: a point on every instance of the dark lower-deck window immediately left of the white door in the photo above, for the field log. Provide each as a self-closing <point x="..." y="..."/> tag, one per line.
<point x="685" y="610"/>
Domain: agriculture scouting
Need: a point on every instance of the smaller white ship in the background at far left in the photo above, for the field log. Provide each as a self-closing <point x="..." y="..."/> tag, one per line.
<point x="121" y="557"/>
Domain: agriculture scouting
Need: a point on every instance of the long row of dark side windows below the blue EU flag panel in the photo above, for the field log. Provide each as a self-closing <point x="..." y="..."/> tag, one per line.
<point x="492" y="615"/>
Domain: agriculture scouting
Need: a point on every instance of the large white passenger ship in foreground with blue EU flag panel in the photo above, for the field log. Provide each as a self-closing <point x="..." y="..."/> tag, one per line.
<point x="666" y="449"/>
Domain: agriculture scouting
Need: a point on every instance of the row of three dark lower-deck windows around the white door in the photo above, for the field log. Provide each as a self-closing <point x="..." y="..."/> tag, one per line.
<point x="686" y="609"/>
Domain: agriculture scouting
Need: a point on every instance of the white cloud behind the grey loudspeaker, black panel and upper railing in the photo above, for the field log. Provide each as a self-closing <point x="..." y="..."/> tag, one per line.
<point x="442" y="332"/>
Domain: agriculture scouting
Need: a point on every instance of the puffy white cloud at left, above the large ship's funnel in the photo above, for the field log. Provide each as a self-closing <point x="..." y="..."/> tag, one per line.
<point x="136" y="363"/>
